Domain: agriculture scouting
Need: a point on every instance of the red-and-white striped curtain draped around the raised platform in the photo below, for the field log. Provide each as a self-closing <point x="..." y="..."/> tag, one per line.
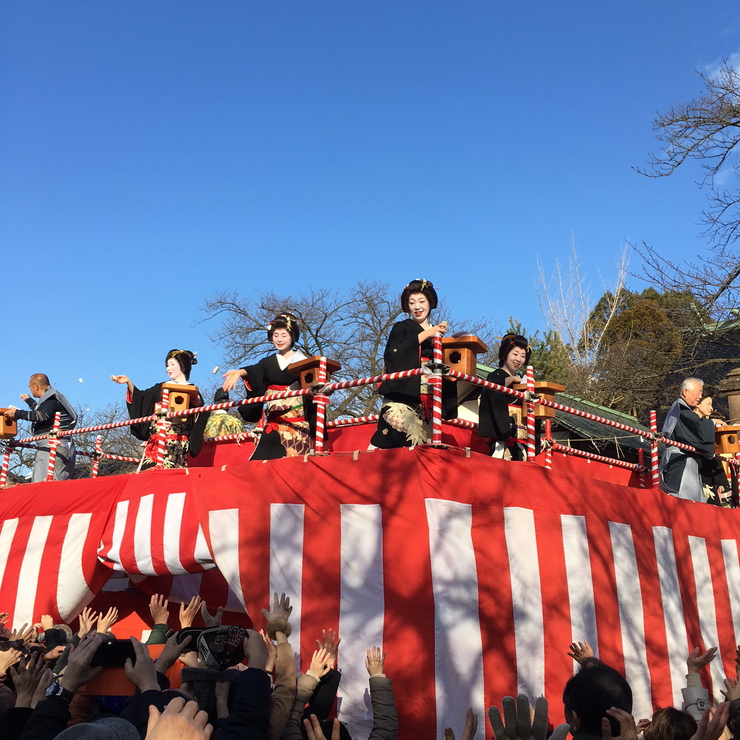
<point x="131" y="524"/>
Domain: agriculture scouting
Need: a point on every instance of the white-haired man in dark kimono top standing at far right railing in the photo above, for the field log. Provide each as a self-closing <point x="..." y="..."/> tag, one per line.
<point x="680" y="470"/>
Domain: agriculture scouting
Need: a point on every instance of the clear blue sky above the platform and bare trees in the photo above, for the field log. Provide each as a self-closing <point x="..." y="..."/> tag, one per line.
<point x="154" y="153"/>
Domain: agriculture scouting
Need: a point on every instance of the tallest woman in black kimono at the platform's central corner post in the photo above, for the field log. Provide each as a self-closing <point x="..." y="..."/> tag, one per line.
<point x="403" y="418"/>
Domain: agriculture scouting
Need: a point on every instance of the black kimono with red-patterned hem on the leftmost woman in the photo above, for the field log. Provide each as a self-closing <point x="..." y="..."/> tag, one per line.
<point x="183" y="438"/>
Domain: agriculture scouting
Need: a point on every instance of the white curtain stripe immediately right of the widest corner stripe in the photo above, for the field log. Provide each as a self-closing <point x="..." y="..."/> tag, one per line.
<point x="526" y="597"/>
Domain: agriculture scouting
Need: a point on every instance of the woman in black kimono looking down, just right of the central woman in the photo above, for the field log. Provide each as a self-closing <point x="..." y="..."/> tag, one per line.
<point x="494" y="421"/>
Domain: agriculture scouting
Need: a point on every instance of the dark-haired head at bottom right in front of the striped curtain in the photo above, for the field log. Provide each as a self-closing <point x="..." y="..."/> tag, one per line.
<point x="587" y="695"/>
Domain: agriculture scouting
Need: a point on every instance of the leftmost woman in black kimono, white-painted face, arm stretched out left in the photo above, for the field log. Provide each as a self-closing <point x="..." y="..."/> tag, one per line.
<point x="183" y="437"/>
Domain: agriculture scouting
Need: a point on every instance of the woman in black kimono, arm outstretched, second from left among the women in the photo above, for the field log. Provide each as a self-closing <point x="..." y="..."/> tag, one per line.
<point x="288" y="422"/>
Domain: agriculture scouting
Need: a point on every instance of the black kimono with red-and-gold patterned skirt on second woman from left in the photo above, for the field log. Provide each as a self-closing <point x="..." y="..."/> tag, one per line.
<point x="289" y="423"/>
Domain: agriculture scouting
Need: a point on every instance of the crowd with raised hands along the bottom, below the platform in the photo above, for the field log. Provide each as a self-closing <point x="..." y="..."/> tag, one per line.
<point x="240" y="684"/>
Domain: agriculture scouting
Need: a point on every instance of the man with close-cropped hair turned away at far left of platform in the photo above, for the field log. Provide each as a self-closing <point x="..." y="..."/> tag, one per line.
<point x="44" y="405"/>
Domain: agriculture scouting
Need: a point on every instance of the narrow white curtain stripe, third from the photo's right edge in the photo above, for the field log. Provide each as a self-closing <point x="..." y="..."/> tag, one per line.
<point x="675" y="626"/>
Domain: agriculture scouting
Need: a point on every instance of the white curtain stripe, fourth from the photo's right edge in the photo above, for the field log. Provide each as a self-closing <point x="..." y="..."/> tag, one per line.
<point x="631" y="617"/>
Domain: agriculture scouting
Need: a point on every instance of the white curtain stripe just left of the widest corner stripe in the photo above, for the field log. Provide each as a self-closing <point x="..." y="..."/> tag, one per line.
<point x="361" y="607"/>
